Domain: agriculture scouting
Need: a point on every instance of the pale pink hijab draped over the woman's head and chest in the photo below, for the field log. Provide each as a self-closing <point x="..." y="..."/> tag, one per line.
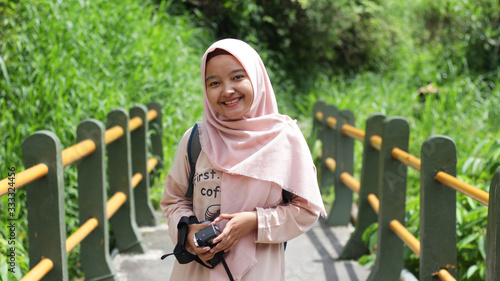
<point x="264" y="145"/>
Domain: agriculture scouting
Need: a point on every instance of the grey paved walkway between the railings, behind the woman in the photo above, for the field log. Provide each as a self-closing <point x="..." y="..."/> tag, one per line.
<point x="311" y="256"/>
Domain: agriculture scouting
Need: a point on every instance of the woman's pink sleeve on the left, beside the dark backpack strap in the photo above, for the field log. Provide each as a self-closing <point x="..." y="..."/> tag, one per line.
<point x="174" y="202"/>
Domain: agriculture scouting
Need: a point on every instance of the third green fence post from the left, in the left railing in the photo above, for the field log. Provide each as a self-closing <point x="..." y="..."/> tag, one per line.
<point x="126" y="233"/>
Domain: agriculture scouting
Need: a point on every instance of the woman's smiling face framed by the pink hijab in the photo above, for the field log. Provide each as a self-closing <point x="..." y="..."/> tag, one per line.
<point x="229" y="90"/>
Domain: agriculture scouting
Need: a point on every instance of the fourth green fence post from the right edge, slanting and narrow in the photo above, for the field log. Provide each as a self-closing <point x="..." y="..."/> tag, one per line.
<point x="355" y="246"/>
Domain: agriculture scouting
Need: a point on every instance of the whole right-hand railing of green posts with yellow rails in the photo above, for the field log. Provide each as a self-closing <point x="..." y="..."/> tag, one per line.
<point x="382" y="194"/>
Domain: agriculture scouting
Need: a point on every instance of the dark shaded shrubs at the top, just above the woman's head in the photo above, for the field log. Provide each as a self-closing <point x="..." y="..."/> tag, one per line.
<point x="302" y="37"/>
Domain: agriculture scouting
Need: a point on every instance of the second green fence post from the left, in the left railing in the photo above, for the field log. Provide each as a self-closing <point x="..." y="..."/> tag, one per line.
<point x="94" y="250"/>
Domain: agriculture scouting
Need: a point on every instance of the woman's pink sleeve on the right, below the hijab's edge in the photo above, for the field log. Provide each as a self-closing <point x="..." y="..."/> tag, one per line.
<point x="285" y="222"/>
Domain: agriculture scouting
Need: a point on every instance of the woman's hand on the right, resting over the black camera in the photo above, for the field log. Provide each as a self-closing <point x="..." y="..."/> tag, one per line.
<point x="239" y="225"/>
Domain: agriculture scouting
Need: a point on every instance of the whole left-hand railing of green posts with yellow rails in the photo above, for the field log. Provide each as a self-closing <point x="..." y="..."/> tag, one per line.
<point x="125" y="145"/>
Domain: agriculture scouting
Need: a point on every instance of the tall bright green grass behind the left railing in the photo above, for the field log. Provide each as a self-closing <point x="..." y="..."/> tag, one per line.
<point x="65" y="61"/>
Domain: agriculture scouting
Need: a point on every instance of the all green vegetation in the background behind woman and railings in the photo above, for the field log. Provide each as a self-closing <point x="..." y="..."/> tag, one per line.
<point x="64" y="61"/>
